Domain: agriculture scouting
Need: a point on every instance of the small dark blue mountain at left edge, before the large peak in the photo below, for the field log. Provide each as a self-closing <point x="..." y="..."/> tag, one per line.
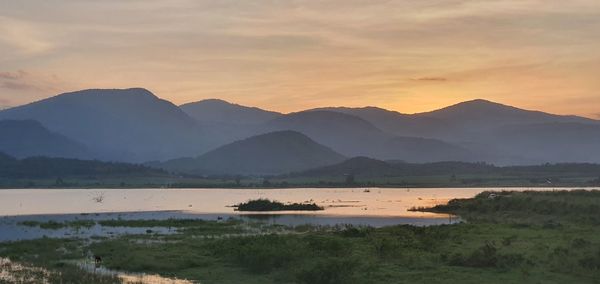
<point x="27" y="138"/>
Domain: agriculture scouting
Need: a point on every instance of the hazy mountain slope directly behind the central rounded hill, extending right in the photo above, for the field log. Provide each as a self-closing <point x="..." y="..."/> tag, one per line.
<point x="354" y="136"/>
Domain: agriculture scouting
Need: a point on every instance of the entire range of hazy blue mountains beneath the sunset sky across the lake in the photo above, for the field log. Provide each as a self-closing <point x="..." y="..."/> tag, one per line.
<point x="217" y="137"/>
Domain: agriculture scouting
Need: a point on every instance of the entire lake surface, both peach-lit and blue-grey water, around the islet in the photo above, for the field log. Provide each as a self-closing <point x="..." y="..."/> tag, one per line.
<point x="373" y="207"/>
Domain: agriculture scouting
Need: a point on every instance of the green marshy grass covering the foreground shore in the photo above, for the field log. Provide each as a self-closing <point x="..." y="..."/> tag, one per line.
<point x="527" y="237"/>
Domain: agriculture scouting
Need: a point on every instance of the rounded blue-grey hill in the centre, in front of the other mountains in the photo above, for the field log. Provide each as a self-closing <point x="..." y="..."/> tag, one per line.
<point x="271" y="153"/>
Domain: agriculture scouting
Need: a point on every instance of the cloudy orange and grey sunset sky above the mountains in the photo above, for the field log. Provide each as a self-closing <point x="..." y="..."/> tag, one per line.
<point x="289" y="55"/>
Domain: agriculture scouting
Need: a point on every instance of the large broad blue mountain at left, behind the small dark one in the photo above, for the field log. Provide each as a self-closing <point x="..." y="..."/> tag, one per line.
<point x="125" y="125"/>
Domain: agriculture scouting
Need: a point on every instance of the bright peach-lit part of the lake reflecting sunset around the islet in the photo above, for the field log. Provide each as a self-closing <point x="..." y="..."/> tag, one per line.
<point x="377" y="202"/>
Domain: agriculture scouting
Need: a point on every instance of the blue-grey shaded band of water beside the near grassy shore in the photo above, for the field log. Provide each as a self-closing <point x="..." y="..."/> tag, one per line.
<point x="13" y="229"/>
